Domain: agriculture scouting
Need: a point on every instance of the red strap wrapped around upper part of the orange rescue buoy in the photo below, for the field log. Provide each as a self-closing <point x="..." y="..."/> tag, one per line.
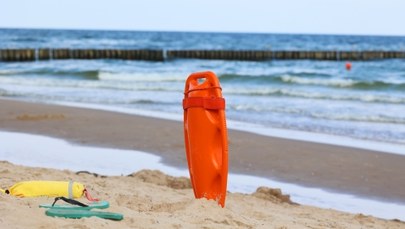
<point x="206" y="103"/>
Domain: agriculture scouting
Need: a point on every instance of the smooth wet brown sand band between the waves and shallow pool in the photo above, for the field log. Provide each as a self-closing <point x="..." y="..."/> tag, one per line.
<point x="347" y="170"/>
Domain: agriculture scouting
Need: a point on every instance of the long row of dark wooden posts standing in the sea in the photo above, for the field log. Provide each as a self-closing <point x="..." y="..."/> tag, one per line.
<point x="161" y="55"/>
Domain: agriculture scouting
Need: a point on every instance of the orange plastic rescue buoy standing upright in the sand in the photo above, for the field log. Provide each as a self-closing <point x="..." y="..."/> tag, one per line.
<point x="205" y="136"/>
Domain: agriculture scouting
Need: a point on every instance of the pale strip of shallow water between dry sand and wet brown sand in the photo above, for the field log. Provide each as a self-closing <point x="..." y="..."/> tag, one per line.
<point x="55" y="153"/>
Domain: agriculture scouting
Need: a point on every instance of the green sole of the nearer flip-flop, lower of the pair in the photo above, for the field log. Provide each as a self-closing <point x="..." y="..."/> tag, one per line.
<point x="80" y="213"/>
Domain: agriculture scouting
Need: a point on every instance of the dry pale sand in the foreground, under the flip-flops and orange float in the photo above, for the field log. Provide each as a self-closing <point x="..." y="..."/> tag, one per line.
<point x="150" y="199"/>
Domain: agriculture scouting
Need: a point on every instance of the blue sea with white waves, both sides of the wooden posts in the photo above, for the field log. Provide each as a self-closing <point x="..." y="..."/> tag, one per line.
<point x="321" y="97"/>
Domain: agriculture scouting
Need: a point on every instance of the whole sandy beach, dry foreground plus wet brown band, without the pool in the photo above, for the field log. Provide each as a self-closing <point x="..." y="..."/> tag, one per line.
<point x="150" y="199"/>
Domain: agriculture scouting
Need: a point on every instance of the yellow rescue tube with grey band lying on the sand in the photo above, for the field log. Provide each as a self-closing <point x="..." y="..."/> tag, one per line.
<point x="67" y="189"/>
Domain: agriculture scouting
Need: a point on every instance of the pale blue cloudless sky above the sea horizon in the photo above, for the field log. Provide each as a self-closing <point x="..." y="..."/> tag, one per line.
<point x="359" y="17"/>
